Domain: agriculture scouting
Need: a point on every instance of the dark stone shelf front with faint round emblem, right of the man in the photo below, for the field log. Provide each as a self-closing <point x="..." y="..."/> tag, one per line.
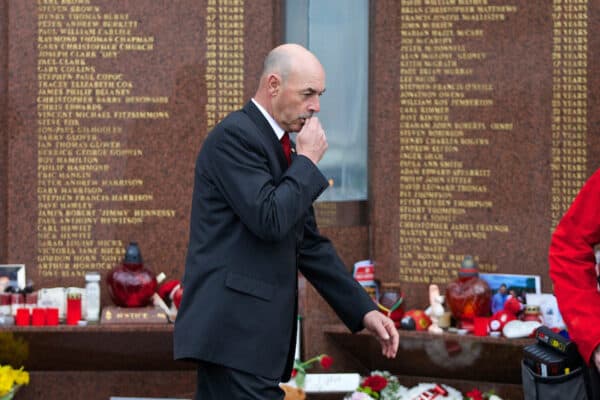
<point x="463" y="361"/>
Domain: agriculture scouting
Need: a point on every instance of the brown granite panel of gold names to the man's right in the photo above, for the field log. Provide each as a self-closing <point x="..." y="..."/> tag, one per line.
<point x="493" y="124"/>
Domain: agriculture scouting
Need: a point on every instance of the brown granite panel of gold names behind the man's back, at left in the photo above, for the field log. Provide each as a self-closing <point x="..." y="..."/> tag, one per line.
<point x="108" y="105"/>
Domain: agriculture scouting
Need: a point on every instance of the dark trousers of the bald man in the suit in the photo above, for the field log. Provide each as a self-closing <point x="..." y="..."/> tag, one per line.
<point x="216" y="382"/>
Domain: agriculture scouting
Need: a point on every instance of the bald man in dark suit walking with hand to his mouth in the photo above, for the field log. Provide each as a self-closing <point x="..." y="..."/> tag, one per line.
<point x="252" y="228"/>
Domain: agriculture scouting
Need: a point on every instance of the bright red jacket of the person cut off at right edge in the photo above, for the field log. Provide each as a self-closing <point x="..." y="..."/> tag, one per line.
<point x="572" y="267"/>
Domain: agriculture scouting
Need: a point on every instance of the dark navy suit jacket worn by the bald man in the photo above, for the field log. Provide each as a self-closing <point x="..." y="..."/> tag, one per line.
<point x="252" y="227"/>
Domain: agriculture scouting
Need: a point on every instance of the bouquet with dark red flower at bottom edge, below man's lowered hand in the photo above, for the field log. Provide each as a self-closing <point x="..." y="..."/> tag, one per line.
<point x="379" y="385"/>
